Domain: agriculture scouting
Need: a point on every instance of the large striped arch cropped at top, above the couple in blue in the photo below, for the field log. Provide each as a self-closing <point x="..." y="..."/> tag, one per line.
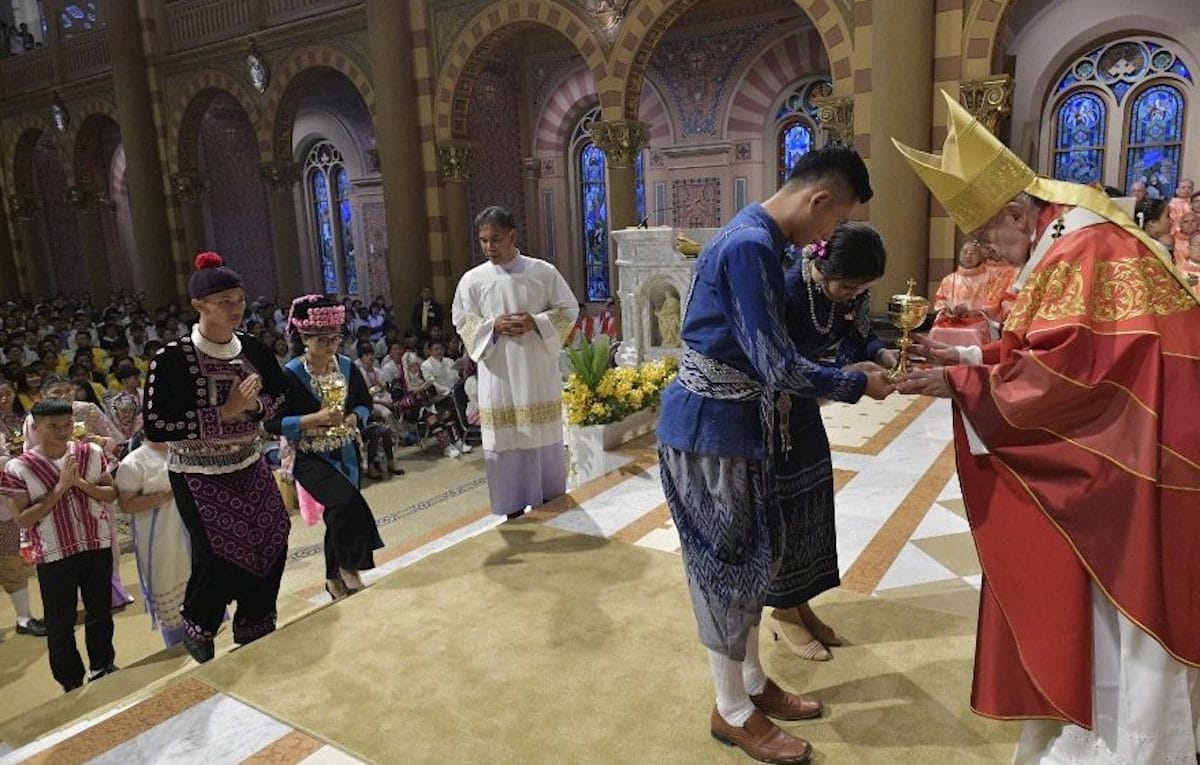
<point x="641" y="32"/>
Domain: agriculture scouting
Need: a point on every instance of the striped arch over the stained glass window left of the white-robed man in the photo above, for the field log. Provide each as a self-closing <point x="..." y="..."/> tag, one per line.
<point x="279" y="115"/>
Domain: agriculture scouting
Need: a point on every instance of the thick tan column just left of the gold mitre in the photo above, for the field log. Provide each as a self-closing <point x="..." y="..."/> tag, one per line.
<point x="901" y="86"/>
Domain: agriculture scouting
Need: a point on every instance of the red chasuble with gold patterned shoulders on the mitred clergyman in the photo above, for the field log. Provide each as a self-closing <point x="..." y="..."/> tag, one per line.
<point x="1090" y="408"/>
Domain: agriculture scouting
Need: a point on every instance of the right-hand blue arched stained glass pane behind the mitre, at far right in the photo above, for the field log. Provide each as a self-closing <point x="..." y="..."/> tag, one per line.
<point x="1156" y="138"/>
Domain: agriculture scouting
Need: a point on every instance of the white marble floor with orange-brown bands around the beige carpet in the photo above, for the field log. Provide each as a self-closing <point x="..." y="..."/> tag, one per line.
<point x="902" y="535"/>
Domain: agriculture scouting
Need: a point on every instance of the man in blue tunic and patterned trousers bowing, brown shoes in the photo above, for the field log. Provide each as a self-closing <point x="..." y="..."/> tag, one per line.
<point x="717" y="437"/>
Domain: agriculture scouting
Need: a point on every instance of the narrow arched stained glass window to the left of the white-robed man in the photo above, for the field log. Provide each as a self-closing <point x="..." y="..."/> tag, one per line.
<point x="334" y="219"/>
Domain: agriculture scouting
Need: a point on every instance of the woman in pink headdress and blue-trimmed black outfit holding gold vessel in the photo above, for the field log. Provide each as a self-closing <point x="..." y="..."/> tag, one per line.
<point x="327" y="461"/>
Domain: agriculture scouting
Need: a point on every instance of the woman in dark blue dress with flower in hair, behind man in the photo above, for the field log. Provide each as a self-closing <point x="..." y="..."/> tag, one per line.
<point x="829" y="320"/>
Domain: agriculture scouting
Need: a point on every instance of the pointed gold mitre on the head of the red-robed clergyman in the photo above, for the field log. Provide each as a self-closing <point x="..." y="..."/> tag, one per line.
<point x="976" y="176"/>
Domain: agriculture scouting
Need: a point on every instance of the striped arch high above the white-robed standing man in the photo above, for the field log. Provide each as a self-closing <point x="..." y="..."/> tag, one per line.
<point x="457" y="81"/>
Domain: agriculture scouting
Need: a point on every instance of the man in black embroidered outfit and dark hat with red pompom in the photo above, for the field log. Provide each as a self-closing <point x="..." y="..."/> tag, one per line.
<point x="207" y="396"/>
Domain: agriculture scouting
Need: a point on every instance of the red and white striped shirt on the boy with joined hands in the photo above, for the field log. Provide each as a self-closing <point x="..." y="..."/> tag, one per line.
<point x="77" y="523"/>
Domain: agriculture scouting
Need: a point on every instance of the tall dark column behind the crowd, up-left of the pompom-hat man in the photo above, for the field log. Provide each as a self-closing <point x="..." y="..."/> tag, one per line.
<point x="135" y="115"/>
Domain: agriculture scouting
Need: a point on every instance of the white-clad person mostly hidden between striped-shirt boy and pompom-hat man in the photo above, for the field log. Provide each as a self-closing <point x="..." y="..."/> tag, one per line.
<point x="160" y="540"/>
